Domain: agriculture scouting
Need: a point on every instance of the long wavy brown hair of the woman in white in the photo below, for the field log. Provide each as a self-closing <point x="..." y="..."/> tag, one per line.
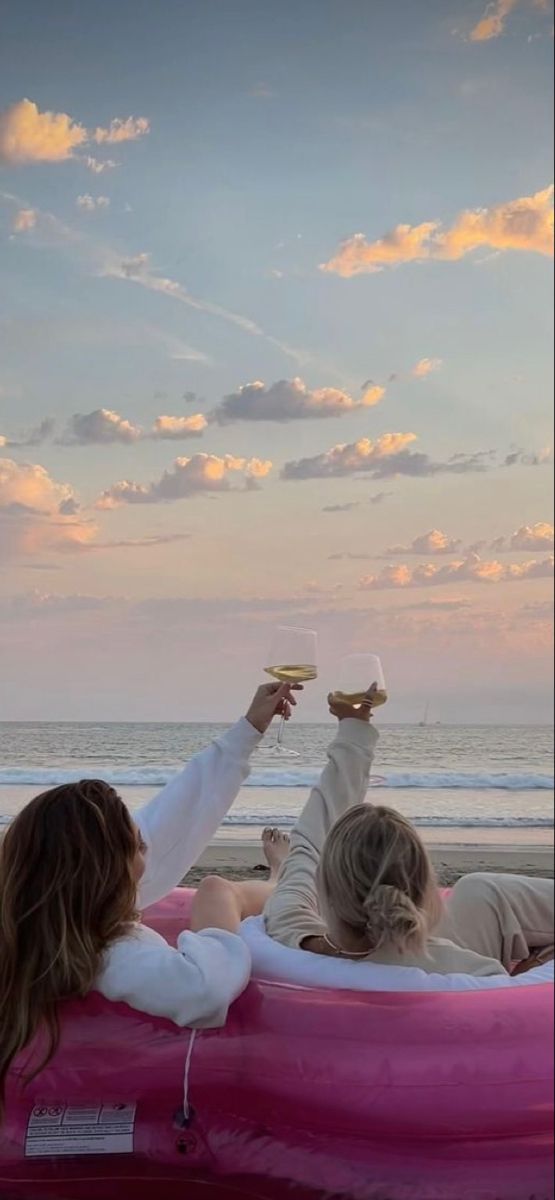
<point x="68" y="890"/>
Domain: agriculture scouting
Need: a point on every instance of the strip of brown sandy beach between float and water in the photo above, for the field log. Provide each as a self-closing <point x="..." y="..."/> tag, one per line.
<point x="240" y="860"/>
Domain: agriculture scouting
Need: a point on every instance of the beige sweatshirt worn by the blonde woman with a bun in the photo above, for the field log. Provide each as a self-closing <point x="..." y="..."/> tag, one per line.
<point x="293" y="913"/>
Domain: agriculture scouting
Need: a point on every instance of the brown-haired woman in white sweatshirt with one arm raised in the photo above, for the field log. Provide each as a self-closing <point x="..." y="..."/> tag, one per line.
<point x="76" y="869"/>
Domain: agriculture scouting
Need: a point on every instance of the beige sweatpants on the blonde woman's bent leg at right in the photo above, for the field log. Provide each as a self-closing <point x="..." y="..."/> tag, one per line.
<point x="504" y="917"/>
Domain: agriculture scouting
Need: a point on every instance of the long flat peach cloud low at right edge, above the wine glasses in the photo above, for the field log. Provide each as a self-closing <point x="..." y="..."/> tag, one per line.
<point x="472" y="569"/>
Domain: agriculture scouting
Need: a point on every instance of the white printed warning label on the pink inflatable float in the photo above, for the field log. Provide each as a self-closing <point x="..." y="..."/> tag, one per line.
<point x="57" y="1130"/>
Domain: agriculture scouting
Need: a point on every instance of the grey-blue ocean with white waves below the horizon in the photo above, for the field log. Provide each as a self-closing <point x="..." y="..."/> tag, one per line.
<point x="467" y="783"/>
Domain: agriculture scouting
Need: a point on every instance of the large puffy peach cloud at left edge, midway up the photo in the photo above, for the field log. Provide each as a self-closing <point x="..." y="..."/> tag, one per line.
<point x="38" y="514"/>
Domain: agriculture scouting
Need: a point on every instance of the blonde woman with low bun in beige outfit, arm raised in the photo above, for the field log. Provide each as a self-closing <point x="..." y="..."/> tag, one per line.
<point x="359" y="883"/>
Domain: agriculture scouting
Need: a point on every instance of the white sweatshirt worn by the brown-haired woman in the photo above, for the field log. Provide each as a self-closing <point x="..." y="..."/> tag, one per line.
<point x="195" y="983"/>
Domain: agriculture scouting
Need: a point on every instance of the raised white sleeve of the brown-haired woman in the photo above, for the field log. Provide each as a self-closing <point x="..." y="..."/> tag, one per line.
<point x="178" y="824"/>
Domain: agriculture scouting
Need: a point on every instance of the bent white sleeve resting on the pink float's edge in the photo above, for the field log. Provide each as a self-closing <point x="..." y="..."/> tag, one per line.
<point x="192" y="986"/>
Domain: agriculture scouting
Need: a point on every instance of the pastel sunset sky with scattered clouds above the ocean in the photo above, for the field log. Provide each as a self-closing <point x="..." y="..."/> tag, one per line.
<point x="276" y="350"/>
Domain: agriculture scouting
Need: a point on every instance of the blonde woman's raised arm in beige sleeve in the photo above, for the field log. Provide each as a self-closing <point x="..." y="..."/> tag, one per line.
<point x="293" y="913"/>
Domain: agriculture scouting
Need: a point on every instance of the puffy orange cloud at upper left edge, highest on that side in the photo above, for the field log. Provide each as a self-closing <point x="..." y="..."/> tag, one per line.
<point x="29" y="136"/>
